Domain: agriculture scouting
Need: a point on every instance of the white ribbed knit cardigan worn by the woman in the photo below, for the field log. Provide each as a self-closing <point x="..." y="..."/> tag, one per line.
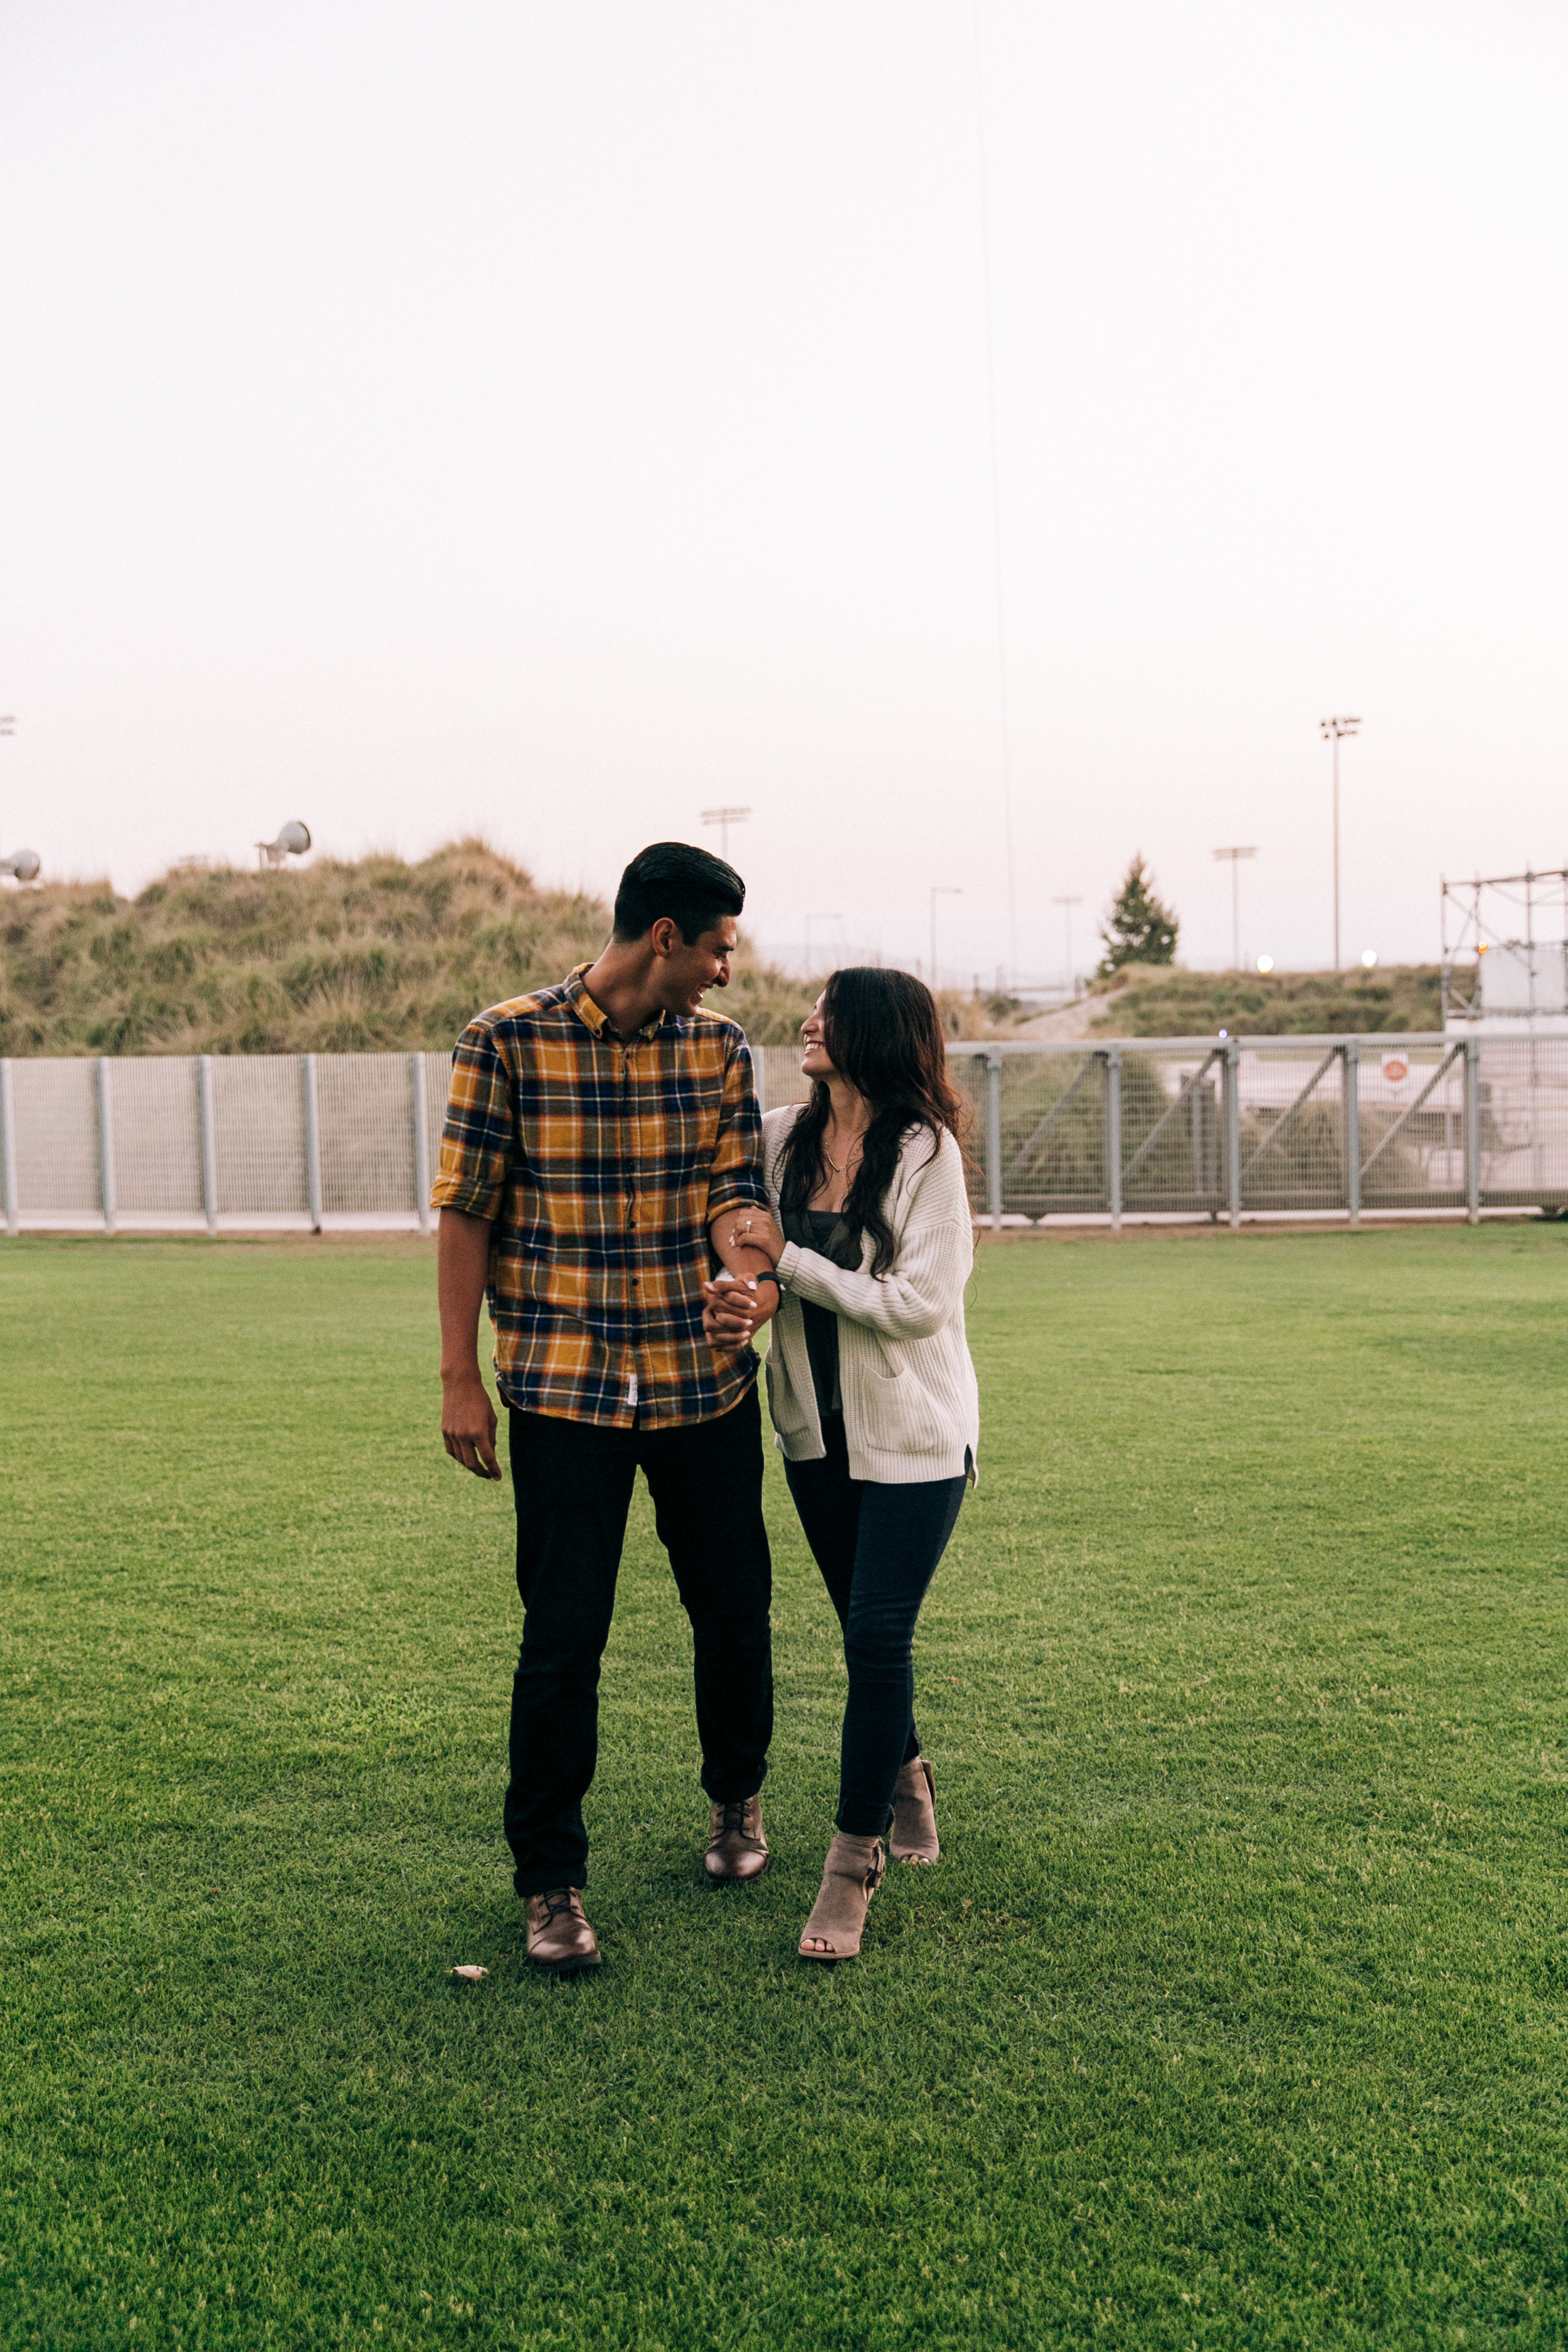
<point x="911" y="1398"/>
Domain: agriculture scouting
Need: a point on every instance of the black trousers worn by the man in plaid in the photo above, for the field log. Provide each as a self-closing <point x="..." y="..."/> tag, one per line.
<point x="572" y="1485"/>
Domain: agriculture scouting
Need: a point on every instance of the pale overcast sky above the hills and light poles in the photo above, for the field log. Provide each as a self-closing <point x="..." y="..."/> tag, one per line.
<point x="558" y="420"/>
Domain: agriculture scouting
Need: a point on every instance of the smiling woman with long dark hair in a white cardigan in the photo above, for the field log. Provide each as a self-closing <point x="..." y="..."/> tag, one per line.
<point x="871" y="1387"/>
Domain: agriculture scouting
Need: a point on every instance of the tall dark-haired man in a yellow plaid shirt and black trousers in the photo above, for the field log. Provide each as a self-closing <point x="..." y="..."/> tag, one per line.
<point x="603" y="1151"/>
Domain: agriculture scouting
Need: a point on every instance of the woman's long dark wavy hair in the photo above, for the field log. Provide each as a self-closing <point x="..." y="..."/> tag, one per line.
<point x="885" y="1036"/>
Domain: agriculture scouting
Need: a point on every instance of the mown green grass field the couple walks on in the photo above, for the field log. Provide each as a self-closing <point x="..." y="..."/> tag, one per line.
<point x="1235" y="2014"/>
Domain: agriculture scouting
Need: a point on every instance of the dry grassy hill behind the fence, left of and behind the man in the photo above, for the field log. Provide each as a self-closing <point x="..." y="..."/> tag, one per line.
<point x="326" y="958"/>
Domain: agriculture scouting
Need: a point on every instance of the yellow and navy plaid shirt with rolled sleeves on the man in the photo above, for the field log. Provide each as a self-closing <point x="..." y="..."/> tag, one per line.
<point x="601" y="1163"/>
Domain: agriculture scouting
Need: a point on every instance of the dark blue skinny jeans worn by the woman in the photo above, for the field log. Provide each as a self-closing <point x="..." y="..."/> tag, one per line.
<point x="878" y="1551"/>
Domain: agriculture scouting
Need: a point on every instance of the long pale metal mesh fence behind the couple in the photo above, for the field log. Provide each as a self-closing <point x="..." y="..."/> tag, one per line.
<point x="1162" y="1128"/>
